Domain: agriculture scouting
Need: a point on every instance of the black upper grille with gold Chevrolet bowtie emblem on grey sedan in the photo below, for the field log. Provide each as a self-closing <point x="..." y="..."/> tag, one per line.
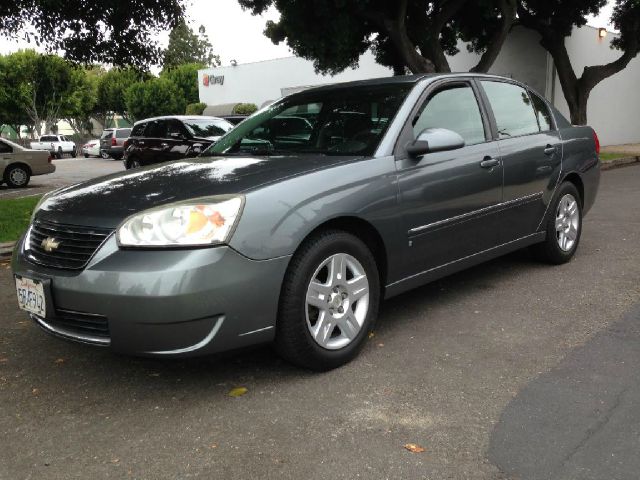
<point x="74" y="245"/>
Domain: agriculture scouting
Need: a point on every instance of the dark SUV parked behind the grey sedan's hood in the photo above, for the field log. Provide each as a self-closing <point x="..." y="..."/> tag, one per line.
<point x="160" y="139"/>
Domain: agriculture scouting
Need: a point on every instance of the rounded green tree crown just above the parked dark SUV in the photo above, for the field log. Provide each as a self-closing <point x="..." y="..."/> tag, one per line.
<point x="152" y="98"/>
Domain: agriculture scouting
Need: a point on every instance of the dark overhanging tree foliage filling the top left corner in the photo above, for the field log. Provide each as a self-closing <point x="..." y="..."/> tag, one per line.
<point x="115" y="32"/>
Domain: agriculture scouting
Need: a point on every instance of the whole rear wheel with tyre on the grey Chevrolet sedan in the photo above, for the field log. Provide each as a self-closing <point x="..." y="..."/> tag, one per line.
<point x="564" y="226"/>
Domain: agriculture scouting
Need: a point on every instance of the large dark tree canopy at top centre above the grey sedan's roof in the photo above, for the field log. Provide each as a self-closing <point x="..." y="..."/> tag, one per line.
<point x="407" y="34"/>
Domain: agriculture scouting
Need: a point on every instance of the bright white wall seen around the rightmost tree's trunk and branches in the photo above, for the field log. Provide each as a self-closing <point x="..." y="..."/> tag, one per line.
<point x="614" y="103"/>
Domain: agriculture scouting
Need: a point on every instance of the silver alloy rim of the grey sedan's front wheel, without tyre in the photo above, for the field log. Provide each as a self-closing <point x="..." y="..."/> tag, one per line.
<point x="337" y="301"/>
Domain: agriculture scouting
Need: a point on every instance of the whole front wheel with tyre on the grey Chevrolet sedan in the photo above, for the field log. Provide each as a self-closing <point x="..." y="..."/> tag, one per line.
<point x="329" y="301"/>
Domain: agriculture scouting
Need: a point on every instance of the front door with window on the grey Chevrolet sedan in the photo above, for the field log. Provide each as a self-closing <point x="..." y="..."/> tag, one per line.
<point x="449" y="199"/>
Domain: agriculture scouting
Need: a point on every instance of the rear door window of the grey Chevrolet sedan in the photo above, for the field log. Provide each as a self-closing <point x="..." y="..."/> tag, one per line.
<point x="512" y="109"/>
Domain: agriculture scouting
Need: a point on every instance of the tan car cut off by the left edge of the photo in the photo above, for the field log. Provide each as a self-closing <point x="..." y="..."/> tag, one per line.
<point x="19" y="164"/>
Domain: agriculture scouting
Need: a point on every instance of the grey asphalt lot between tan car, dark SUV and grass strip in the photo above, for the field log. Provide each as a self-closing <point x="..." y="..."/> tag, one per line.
<point x="68" y="171"/>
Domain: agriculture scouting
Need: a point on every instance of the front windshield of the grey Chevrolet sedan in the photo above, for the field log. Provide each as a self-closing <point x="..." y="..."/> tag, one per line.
<point x="347" y="121"/>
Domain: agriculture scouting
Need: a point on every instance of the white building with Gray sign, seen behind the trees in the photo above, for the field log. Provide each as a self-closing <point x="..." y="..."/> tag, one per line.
<point x="613" y="104"/>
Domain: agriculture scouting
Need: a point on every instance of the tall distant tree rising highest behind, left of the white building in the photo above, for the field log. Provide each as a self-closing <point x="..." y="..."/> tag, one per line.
<point x="186" y="47"/>
